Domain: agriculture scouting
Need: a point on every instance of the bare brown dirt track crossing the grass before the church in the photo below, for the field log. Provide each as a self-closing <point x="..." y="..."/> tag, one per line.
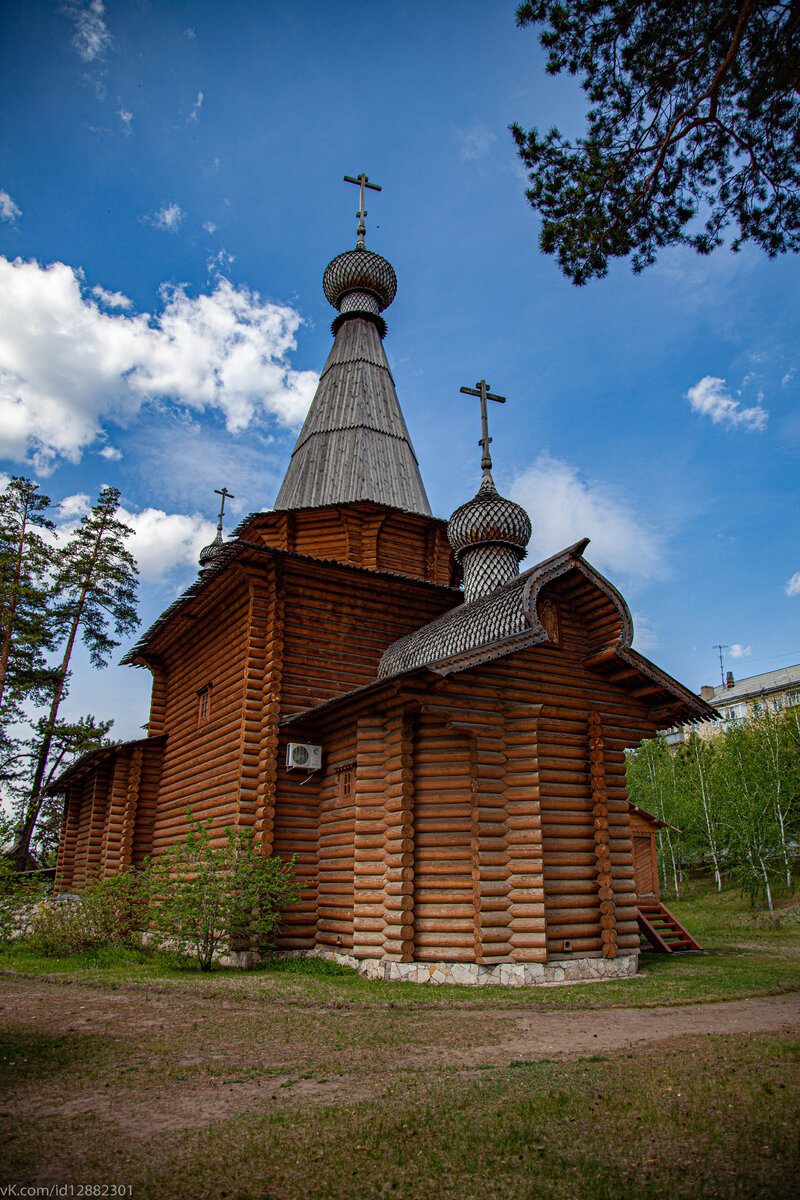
<point x="148" y="1064"/>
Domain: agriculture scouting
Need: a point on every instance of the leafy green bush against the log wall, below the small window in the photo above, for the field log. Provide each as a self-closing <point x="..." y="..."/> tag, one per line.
<point x="215" y="898"/>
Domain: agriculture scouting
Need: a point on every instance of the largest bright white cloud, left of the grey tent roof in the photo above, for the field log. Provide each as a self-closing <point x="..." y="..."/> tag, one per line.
<point x="68" y="367"/>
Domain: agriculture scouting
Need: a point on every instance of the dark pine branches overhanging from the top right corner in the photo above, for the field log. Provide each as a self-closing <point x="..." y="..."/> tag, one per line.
<point x="695" y="118"/>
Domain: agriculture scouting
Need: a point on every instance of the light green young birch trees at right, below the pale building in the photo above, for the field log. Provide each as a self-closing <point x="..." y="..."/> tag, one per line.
<point x="735" y="800"/>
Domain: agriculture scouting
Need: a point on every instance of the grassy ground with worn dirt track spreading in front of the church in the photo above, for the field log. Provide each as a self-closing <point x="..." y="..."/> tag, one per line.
<point x="304" y="1081"/>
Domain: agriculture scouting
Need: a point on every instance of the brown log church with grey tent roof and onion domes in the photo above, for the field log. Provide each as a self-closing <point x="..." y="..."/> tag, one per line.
<point x="438" y="737"/>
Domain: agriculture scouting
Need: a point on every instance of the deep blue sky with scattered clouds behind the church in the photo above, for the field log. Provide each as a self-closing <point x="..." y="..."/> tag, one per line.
<point x="171" y="191"/>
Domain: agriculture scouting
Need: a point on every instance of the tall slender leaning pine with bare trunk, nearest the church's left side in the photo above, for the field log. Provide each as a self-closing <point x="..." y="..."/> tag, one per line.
<point x="97" y="584"/>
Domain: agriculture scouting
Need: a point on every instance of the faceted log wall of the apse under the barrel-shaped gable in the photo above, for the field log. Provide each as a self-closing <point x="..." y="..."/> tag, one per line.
<point x="491" y="819"/>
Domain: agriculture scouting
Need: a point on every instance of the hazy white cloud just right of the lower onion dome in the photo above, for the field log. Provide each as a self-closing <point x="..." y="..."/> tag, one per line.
<point x="566" y="508"/>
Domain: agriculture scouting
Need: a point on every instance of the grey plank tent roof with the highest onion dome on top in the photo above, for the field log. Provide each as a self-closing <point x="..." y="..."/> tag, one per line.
<point x="354" y="445"/>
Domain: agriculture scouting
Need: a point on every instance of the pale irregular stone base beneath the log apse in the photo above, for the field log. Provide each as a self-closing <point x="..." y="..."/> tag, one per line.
<point x="506" y="975"/>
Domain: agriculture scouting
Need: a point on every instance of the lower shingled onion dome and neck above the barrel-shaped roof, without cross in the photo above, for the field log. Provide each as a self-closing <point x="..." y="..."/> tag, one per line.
<point x="490" y="537"/>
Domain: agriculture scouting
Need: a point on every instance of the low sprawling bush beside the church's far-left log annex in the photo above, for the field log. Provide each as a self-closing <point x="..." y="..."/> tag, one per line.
<point x="110" y="913"/>
